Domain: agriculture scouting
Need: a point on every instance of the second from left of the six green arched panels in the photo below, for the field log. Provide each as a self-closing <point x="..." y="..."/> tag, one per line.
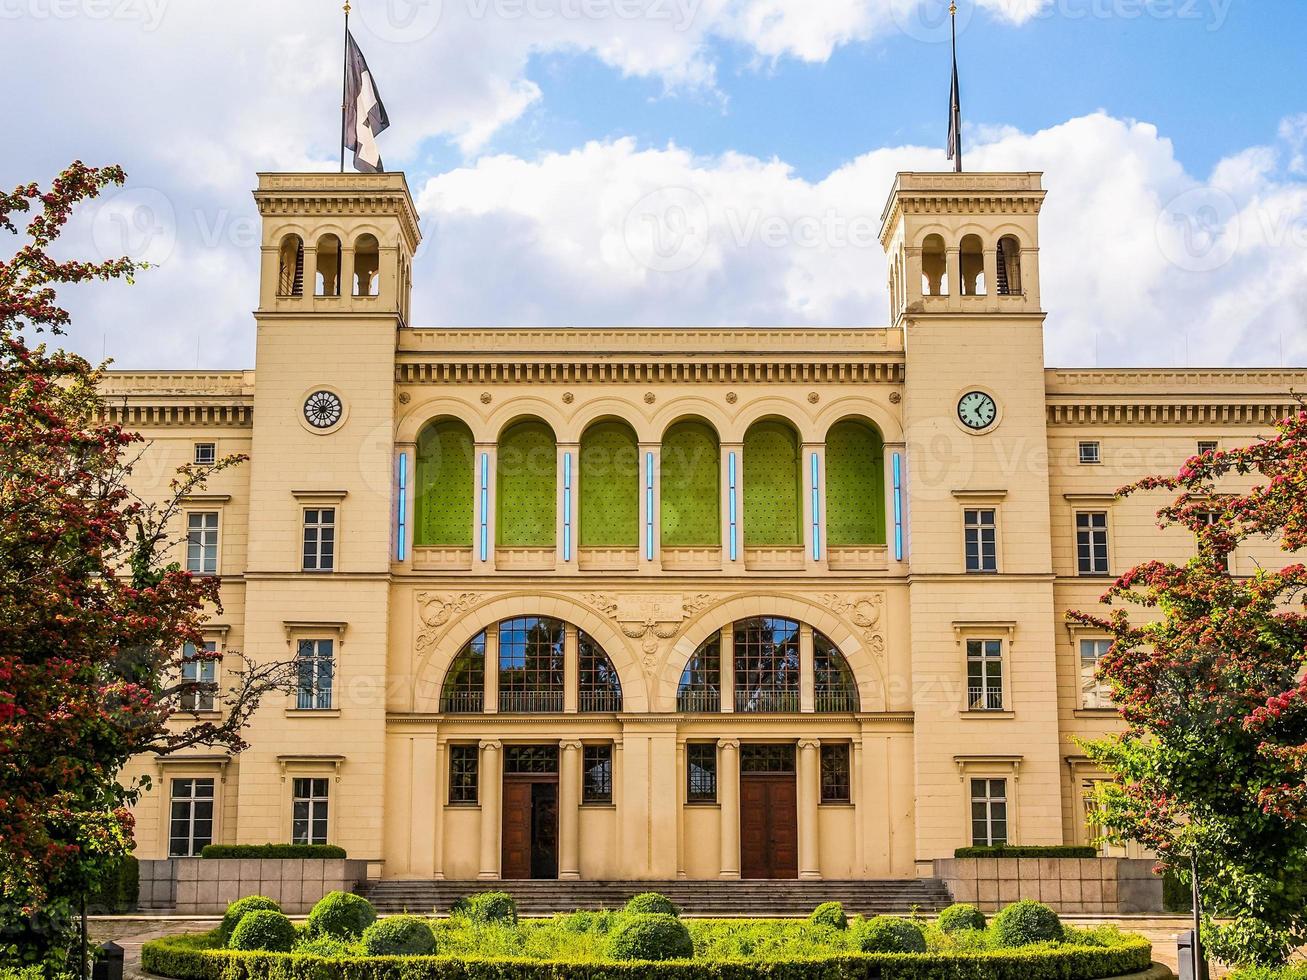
<point x="527" y="474"/>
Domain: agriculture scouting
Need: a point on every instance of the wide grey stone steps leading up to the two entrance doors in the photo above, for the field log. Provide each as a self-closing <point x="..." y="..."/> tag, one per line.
<point x="696" y="898"/>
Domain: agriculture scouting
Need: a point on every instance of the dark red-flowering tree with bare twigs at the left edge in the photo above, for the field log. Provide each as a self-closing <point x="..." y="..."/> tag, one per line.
<point x="93" y="611"/>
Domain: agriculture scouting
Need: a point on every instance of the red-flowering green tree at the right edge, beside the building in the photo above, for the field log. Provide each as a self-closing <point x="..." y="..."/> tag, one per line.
<point x="1210" y="680"/>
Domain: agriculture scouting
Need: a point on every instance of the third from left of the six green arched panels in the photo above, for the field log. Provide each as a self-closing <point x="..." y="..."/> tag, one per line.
<point x="610" y="487"/>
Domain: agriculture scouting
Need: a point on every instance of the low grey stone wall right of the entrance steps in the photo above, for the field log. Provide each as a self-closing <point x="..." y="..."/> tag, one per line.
<point x="1070" y="885"/>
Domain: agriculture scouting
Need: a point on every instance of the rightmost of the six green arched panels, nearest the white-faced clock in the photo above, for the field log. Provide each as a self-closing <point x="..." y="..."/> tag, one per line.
<point x="855" y="485"/>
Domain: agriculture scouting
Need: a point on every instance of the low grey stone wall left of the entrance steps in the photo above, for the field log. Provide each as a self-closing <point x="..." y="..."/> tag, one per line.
<point x="203" y="887"/>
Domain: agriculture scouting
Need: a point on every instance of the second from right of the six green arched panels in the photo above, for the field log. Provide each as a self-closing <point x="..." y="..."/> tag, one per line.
<point x="773" y="514"/>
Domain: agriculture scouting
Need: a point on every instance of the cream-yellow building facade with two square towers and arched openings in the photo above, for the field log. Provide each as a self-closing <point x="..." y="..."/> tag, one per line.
<point x="658" y="604"/>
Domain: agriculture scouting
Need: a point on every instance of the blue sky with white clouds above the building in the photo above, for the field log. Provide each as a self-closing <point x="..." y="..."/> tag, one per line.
<point x="1173" y="135"/>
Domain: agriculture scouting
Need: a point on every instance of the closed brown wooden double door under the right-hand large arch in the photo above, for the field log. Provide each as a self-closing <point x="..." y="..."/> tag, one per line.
<point x="769" y="813"/>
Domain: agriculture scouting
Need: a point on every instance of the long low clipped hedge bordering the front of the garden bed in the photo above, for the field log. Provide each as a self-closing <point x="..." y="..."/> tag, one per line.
<point x="194" y="958"/>
